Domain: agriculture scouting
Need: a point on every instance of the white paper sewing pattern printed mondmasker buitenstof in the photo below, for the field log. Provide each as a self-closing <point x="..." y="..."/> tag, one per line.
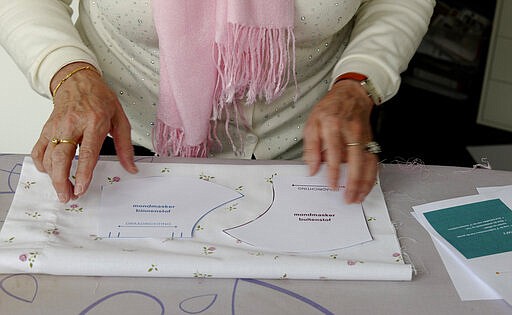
<point x="305" y="216"/>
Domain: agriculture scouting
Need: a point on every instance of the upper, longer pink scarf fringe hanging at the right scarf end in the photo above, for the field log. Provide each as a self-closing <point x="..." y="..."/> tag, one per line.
<point x="253" y="63"/>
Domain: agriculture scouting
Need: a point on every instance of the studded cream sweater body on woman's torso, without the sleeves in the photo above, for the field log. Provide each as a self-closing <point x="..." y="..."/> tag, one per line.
<point x="125" y="42"/>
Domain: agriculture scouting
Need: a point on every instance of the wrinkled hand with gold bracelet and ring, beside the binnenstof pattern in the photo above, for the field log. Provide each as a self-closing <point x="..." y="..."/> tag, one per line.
<point x="85" y="111"/>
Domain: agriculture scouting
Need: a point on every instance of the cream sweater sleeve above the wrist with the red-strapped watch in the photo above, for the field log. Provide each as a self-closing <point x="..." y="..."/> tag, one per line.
<point x="385" y="37"/>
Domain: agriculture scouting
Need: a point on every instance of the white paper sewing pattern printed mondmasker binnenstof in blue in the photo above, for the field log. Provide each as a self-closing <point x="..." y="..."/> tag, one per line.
<point x="159" y="207"/>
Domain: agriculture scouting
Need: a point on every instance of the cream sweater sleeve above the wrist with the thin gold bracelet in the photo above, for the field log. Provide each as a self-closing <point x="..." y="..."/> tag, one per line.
<point x="40" y="37"/>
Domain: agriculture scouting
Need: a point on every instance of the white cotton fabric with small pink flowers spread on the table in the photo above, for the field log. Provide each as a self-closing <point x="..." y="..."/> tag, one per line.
<point x="40" y="235"/>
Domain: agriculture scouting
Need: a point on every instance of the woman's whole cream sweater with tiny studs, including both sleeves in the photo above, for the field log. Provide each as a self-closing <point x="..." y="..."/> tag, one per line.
<point x="374" y="37"/>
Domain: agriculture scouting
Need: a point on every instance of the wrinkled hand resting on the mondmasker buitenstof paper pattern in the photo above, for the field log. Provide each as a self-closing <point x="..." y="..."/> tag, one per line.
<point x="342" y="117"/>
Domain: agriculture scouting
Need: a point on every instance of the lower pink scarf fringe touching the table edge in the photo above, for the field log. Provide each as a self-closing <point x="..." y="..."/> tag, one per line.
<point x="168" y="141"/>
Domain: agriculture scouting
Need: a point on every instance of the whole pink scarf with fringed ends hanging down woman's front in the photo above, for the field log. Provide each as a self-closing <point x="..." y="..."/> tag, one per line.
<point x="214" y="54"/>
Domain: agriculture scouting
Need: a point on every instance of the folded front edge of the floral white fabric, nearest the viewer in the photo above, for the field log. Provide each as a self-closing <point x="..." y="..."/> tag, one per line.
<point x="131" y="264"/>
